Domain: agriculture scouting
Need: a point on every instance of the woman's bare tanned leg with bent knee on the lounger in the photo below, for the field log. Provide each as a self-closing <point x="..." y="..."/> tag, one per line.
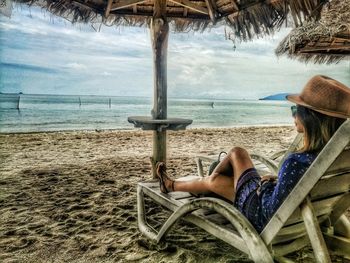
<point x="222" y="181"/>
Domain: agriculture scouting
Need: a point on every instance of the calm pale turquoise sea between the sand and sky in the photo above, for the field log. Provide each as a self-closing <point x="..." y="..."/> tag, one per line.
<point x="54" y="112"/>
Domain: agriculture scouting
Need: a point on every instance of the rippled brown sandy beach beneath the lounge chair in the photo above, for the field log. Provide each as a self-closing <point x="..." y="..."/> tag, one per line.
<point x="71" y="196"/>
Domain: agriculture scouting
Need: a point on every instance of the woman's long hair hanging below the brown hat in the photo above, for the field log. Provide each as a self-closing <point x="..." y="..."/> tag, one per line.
<point x="318" y="128"/>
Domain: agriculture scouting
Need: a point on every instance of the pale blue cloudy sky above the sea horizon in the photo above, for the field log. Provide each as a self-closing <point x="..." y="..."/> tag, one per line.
<point x="43" y="54"/>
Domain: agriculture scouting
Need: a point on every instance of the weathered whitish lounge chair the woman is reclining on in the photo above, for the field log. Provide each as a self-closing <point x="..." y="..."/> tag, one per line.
<point x="313" y="213"/>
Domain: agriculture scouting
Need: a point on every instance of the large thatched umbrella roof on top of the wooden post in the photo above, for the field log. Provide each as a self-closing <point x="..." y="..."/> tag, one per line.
<point x="246" y="17"/>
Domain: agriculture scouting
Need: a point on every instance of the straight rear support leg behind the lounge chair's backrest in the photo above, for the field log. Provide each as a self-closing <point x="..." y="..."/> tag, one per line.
<point x="314" y="232"/>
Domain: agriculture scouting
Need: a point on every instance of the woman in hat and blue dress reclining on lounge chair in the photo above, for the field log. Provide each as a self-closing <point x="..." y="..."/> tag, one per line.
<point x="322" y="107"/>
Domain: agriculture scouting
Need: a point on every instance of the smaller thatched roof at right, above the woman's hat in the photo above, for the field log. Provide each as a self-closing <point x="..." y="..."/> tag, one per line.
<point x="324" y="41"/>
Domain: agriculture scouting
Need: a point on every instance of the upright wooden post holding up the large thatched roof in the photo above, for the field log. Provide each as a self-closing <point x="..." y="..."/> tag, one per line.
<point x="159" y="37"/>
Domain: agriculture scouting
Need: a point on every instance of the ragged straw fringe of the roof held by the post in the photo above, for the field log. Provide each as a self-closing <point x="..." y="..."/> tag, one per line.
<point x="256" y="17"/>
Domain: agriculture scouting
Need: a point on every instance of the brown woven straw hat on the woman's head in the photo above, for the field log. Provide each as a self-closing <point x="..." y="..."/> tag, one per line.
<point x="325" y="95"/>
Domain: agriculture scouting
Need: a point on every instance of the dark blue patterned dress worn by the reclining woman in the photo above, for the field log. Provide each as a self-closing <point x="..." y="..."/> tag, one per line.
<point x="259" y="208"/>
